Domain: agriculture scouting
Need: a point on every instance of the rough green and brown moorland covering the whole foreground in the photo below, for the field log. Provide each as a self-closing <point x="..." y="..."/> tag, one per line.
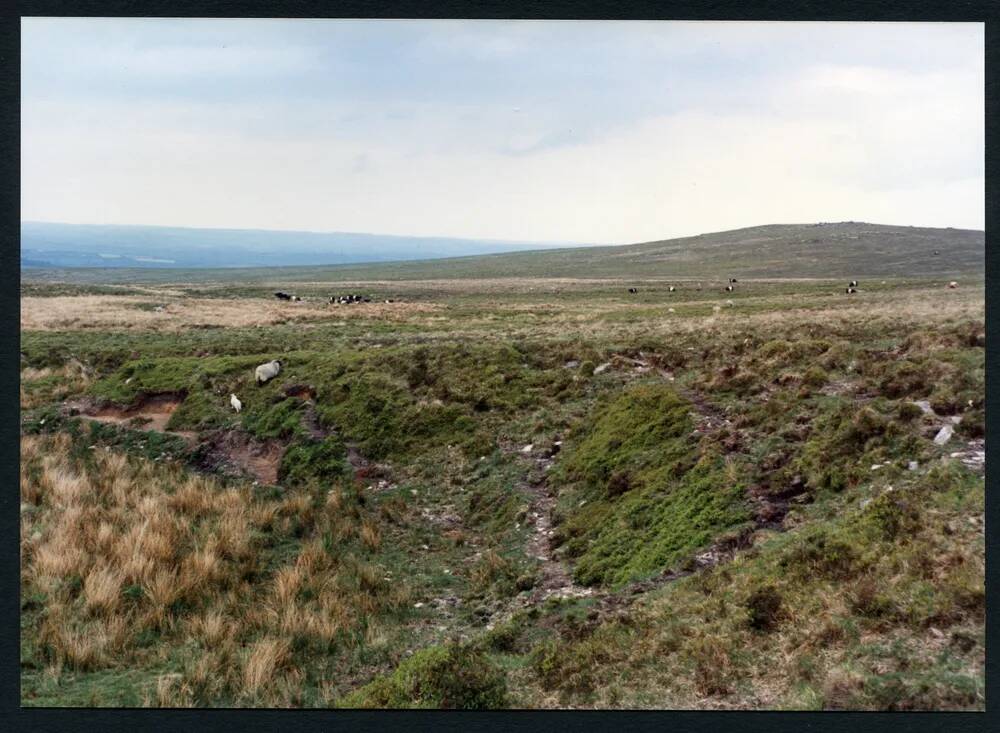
<point x="746" y="507"/>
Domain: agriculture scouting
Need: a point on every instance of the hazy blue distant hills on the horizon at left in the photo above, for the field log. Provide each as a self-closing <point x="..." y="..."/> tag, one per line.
<point x="72" y="245"/>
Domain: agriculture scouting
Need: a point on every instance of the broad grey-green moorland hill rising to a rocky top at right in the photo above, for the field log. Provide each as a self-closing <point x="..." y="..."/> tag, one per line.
<point x="839" y="250"/>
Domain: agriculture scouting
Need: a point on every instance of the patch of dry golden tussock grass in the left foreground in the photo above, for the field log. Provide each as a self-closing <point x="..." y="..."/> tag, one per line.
<point x="115" y="549"/>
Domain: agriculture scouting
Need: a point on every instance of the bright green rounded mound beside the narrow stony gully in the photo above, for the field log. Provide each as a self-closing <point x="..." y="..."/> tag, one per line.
<point x="647" y="496"/>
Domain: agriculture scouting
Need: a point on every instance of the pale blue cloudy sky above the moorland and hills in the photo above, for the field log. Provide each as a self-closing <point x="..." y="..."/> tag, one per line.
<point x="562" y="131"/>
